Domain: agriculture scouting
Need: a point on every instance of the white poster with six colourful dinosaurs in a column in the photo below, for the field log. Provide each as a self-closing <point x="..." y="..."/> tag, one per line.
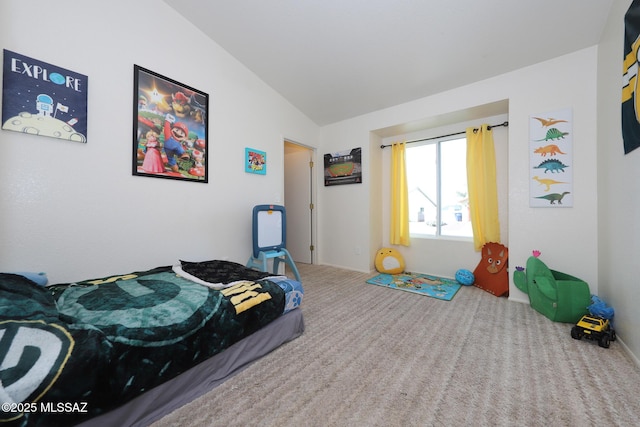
<point x="551" y="159"/>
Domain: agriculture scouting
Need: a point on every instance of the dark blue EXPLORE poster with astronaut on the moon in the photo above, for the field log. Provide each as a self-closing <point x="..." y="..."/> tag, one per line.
<point x="43" y="99"/>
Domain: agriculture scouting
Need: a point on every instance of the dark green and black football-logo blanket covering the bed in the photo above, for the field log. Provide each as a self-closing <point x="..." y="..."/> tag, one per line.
<point x="96" y="344"/>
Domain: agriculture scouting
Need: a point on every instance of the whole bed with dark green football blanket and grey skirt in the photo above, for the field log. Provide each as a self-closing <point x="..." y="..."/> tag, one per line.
<point x="128" y="349"/>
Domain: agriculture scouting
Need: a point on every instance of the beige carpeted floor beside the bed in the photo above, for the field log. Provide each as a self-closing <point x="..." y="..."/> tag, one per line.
<point x="372" y="357"/>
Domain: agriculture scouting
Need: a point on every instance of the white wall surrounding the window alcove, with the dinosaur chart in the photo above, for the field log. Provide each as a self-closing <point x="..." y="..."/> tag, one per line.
<point x="558" y="233"/>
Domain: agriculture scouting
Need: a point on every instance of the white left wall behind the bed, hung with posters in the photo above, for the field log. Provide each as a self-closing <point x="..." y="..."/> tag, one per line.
<point x="75" y="211"/>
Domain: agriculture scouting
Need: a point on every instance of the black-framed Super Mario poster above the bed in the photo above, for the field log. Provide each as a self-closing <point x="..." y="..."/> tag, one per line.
<point x="170" y="131"/>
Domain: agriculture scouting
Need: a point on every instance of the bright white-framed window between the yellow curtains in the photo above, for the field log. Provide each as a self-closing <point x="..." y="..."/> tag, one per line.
<point x="437" y="183"/>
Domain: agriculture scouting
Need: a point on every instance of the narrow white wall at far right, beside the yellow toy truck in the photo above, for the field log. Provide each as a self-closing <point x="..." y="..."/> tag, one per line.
<point x="618" y="190"/>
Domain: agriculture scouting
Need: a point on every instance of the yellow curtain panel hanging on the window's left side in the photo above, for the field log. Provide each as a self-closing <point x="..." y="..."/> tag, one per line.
<point x="399" y="234"/>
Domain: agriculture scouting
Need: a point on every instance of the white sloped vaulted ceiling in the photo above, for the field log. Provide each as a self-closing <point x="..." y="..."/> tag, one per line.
<point x="338" y="59"/>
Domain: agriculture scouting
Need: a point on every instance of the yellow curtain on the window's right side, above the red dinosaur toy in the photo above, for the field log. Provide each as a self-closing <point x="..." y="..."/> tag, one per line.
<point x="481" y="182"/>
